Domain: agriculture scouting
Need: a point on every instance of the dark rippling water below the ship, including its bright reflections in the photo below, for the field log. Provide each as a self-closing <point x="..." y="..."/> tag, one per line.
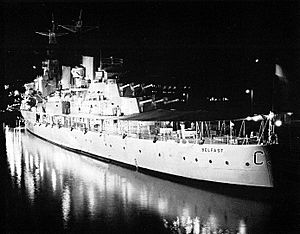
<point x="48" y="189"/>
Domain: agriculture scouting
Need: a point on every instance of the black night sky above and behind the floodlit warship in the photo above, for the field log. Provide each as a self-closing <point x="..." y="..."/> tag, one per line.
<point x="210" y="44"/>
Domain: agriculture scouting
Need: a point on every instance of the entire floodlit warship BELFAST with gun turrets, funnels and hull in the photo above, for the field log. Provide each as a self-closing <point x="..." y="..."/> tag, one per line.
<point x="88" y="111"/>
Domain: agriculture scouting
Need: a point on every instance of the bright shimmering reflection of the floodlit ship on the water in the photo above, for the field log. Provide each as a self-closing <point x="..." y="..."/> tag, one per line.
<point x="86" y="193"/>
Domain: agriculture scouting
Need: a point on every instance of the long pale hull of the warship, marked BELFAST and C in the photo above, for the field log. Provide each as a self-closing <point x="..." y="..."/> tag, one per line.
<point x="248" y="165"/>
